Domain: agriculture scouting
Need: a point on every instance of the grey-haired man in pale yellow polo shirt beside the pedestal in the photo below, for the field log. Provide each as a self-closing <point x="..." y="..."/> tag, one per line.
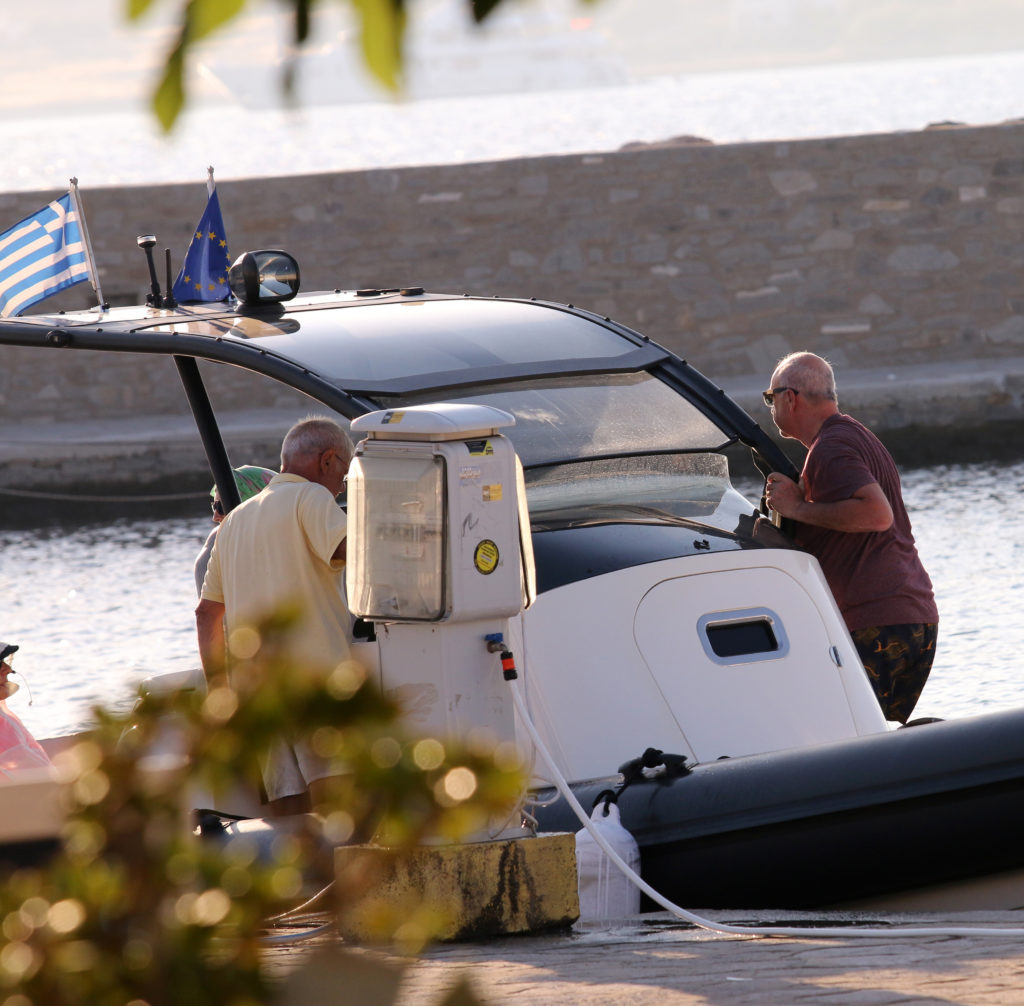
<point x="286" y="547"/>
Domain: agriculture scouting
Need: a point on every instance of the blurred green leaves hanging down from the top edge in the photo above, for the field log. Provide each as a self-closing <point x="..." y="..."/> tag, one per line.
<point x="382" y="30"/>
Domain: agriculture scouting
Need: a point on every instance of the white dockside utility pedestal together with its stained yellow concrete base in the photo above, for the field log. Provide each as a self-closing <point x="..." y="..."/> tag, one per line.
<point x="440" y="560"/>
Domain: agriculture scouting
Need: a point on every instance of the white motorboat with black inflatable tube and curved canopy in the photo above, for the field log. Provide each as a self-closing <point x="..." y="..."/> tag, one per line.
<point x="676" y="650"/>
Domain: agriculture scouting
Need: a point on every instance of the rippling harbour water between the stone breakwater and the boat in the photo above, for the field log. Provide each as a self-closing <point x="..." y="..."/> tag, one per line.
<point x="98" y="608"/>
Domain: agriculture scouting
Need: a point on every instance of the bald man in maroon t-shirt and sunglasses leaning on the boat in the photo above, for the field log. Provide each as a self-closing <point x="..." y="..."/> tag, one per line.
<point x="849" y="514"/>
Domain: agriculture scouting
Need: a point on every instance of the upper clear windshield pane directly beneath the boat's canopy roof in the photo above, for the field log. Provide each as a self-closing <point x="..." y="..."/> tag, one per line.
<point x="570" y="420"/>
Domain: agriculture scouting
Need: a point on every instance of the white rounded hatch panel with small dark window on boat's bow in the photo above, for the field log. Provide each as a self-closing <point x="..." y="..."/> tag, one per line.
<point x="710" y="645"/>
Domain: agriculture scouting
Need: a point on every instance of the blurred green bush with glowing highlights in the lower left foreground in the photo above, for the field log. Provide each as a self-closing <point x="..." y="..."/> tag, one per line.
<point x="137" y="909"/>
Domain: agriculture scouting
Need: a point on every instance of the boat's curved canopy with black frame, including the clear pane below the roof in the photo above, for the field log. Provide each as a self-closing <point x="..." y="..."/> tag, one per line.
<point x="581" y="387"/>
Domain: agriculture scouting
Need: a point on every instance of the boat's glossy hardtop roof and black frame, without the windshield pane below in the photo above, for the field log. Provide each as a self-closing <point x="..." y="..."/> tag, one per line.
<point x="354" y="352"/>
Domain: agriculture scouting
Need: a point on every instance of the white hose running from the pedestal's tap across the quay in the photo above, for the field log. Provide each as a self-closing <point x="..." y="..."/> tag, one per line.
<point x="563" y="786"/>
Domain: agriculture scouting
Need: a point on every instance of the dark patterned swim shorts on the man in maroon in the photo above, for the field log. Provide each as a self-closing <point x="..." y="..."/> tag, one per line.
<point x="899" y="659"/>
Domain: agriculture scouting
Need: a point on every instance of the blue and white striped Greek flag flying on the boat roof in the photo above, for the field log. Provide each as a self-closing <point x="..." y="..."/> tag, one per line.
<point x="41" y="256"/>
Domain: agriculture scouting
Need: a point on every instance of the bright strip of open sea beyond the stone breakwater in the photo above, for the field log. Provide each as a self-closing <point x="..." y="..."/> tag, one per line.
<point x="763" y="105"/>
